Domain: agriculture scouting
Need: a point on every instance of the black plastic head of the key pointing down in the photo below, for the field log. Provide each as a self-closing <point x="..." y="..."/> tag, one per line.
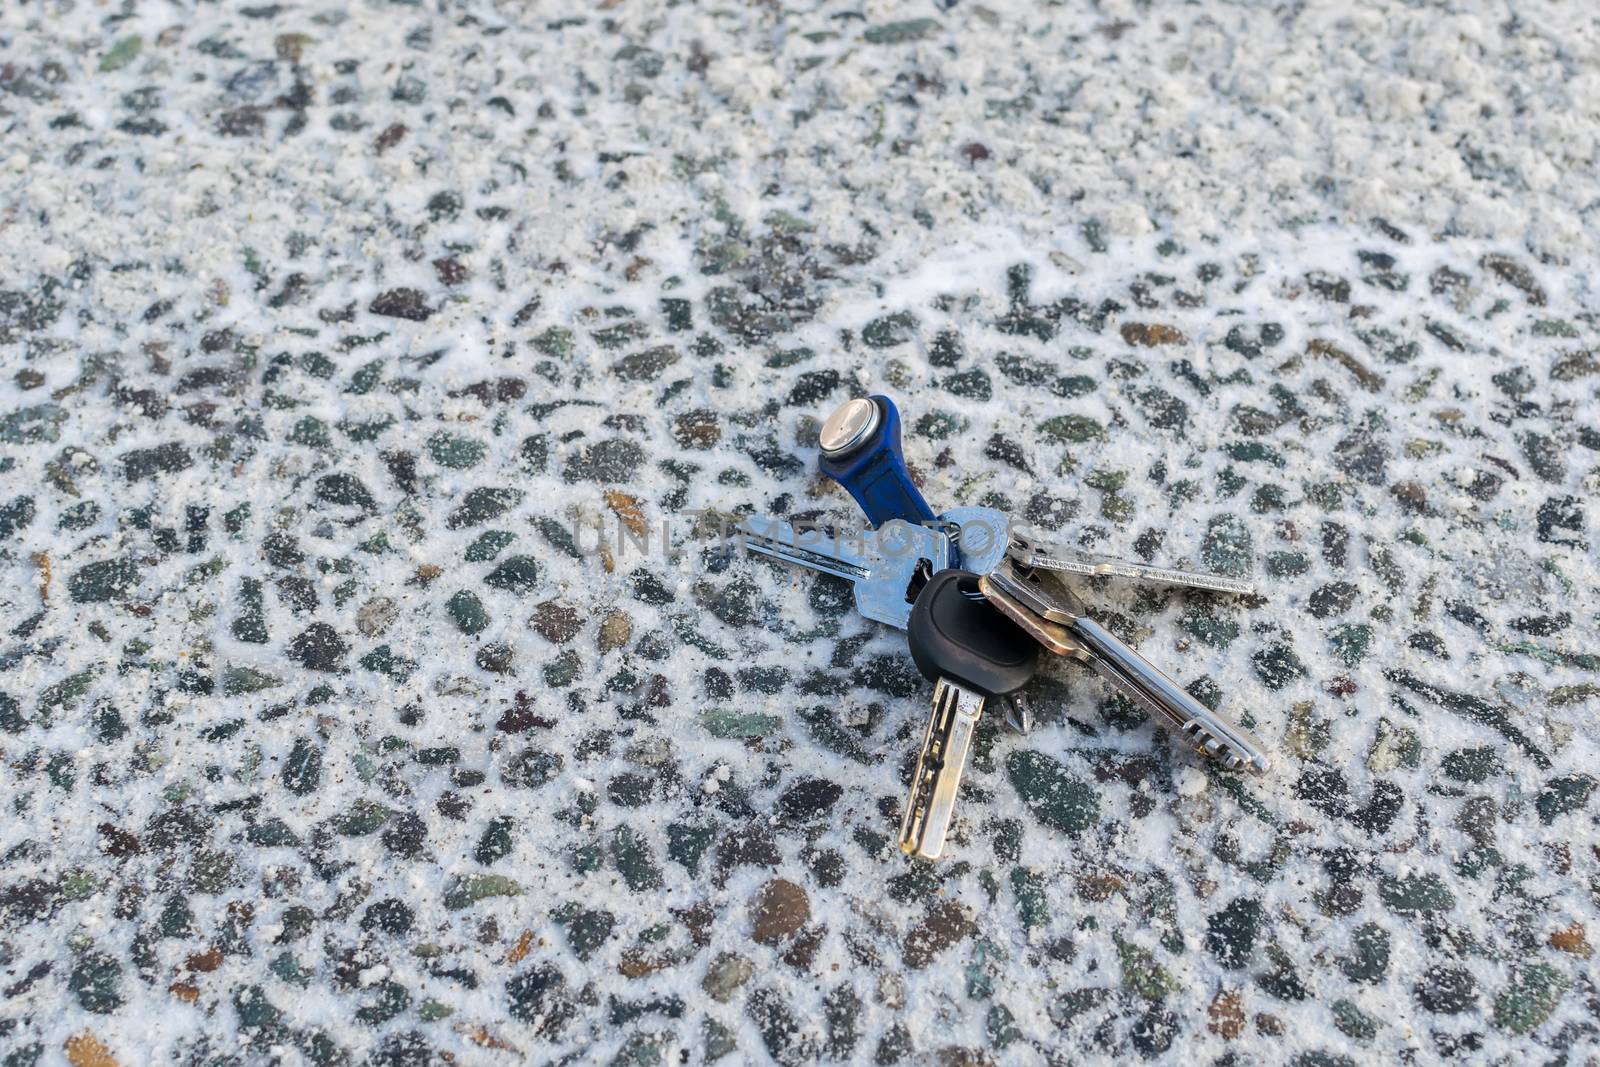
<point x="956" y="634"/>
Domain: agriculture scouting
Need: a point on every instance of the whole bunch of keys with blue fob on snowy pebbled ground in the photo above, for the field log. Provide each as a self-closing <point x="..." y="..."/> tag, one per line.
<point x="996" y="594"/>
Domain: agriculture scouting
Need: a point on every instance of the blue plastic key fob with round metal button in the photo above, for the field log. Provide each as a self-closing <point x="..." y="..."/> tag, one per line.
<point x="862" y="450"/>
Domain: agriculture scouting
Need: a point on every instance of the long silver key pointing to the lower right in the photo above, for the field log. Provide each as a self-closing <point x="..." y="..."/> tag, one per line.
<point x="1055" y="617"/>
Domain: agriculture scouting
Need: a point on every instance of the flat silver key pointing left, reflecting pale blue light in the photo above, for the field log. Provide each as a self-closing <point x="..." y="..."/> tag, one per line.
<point x="884" y="564"/>
